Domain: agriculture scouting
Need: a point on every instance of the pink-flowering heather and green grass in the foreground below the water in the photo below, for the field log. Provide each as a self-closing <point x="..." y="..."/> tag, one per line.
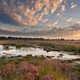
<point x="38" y="68"/>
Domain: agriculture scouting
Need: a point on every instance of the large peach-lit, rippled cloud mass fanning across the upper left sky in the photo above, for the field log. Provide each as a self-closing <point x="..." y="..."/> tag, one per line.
<point x="30" y="12"/>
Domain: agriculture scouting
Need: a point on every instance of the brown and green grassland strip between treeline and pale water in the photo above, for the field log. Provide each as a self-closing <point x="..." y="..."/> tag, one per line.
<point x="68" y="46"/>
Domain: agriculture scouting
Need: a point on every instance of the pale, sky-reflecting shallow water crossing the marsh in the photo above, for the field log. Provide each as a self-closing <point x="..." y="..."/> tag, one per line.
<point x="12" y="51"/>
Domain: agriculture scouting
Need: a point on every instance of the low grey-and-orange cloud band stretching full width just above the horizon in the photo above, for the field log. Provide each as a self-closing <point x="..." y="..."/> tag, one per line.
<point x="51" y="31"/>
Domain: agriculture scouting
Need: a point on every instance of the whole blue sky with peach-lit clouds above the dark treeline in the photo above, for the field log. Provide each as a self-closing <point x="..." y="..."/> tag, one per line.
<point x="40" y="18"/>
